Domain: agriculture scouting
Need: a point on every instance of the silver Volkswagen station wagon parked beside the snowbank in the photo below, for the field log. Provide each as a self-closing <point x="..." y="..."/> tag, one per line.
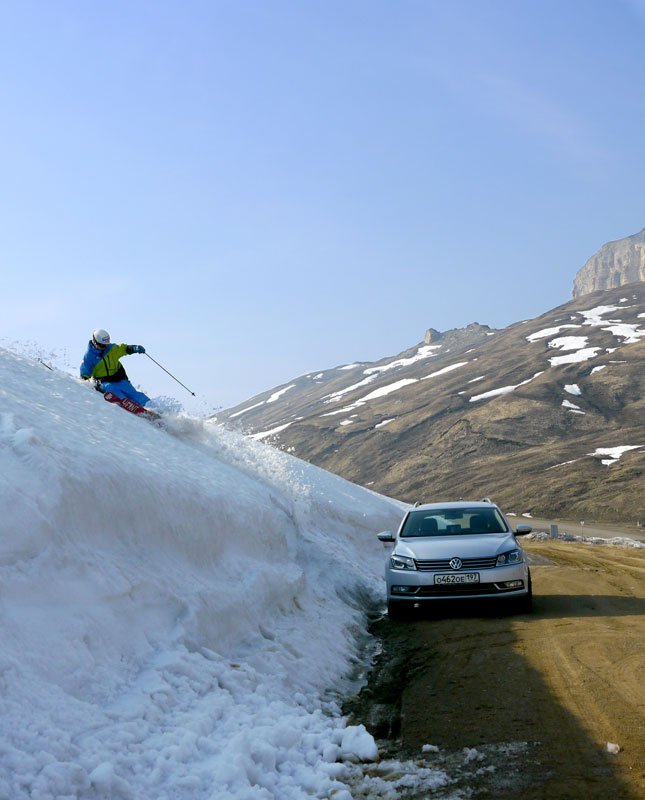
<point x="456" y="551"/>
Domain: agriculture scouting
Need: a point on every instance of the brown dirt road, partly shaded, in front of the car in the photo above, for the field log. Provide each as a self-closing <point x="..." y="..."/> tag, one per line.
<point x="524" y="705"/>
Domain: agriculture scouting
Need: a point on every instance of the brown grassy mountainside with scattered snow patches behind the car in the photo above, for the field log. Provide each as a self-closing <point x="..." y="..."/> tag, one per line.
<point x="523" y="414"/>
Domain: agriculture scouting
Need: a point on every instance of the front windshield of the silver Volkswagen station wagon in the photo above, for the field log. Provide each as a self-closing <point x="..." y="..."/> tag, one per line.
<point x="453" y="521"/>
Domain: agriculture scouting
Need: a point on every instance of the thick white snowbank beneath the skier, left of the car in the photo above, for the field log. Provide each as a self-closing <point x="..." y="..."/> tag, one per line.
<point x="178" y="608"/>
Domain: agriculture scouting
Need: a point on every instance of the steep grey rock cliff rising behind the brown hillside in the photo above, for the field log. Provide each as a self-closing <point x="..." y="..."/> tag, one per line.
<point x="615" y="264"/>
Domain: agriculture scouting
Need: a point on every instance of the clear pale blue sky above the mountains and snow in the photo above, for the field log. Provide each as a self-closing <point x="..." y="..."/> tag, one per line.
<point x="256" y="190"/>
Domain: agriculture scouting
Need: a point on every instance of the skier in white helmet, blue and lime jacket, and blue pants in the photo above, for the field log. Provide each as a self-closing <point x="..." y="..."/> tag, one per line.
<point x="102" y="364"/>
